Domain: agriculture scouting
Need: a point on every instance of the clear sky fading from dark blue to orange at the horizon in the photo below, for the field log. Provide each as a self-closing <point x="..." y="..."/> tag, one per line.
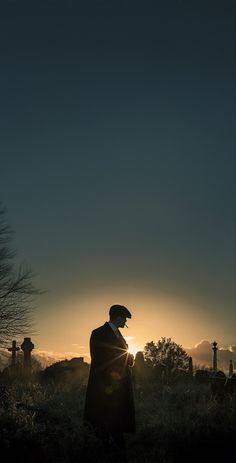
<point x="118" y="165"/>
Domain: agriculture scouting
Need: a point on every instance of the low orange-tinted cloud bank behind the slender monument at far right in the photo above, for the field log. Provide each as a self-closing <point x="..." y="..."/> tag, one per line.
<point x="202" y="355"/>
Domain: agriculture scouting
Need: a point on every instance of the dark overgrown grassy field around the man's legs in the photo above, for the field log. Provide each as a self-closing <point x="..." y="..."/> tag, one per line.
<point x="43" y="423"/>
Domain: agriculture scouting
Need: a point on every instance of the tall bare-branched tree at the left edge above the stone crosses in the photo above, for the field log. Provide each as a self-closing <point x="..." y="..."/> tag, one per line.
<point x="16" y="289"/>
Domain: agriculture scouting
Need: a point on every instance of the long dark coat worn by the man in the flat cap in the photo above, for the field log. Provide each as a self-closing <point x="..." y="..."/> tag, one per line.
<point x="109" y="399"/>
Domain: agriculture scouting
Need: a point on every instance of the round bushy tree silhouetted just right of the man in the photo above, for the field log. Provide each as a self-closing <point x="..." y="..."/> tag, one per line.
<point x="167" y="354"/>
